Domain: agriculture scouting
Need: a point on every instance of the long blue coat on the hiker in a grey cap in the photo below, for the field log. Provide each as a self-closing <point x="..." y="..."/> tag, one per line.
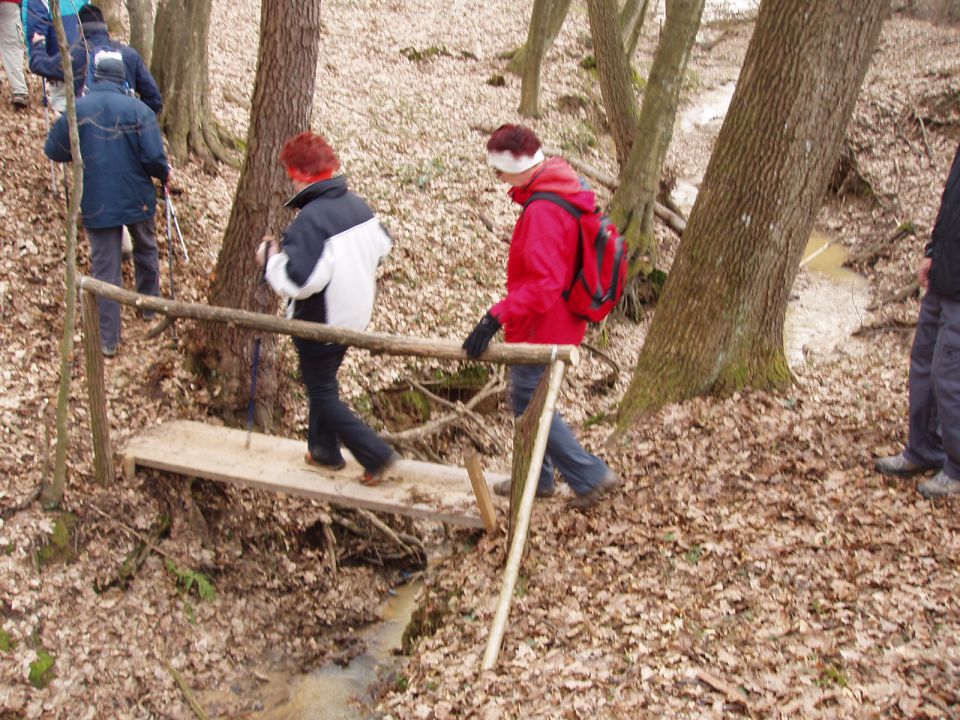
<point x="122" y="149"/>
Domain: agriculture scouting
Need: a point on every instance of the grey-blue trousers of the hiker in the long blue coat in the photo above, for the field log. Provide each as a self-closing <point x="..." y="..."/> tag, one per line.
<point x="105" y="256"/>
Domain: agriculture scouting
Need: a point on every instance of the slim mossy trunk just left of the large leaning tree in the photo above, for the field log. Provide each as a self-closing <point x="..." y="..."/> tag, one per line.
<point x="636" y="196"/>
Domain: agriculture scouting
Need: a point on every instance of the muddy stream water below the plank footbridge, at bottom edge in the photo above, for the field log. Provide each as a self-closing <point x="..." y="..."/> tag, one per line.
<point x="334" y="692"/>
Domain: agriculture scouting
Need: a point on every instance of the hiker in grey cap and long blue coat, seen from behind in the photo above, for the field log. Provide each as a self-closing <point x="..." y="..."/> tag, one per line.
<point x="122" y="151"/>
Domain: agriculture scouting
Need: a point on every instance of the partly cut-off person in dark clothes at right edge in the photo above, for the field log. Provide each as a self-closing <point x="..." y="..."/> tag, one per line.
<point x="934" y="439"/>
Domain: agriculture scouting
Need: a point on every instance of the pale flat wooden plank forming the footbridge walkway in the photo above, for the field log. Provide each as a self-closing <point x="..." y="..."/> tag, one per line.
<point x="414" y="488"/>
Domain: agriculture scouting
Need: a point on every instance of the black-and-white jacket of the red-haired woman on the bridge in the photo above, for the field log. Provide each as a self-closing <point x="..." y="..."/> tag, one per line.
<point x="329" y="256"/>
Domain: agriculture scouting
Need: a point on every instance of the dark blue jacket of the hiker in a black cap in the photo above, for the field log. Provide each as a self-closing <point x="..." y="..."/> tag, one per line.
<point x="95" y="37"/>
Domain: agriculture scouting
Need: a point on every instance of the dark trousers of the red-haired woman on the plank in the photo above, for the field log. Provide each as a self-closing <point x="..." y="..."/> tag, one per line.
<point x="332" y="422"/>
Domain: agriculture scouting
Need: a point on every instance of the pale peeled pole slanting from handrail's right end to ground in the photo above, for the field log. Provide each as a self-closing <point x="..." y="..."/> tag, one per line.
<point x="492" y="652"/>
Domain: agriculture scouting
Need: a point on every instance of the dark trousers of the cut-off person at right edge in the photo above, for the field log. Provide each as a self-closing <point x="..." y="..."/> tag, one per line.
<point x="935" y="386"/>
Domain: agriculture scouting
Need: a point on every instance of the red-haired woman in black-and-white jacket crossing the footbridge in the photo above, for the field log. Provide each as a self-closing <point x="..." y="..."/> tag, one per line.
<point x="327" y="267"/>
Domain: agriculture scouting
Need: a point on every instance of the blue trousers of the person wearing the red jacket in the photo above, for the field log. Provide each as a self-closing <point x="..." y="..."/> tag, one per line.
<point x="581" y="470"/>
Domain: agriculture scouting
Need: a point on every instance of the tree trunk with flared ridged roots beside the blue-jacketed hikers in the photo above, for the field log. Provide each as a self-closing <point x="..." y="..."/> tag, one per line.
<point x="180" y="68"/>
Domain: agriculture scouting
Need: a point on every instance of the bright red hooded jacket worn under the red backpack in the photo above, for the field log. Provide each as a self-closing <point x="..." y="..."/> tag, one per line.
<point x="540" y="268"/>
